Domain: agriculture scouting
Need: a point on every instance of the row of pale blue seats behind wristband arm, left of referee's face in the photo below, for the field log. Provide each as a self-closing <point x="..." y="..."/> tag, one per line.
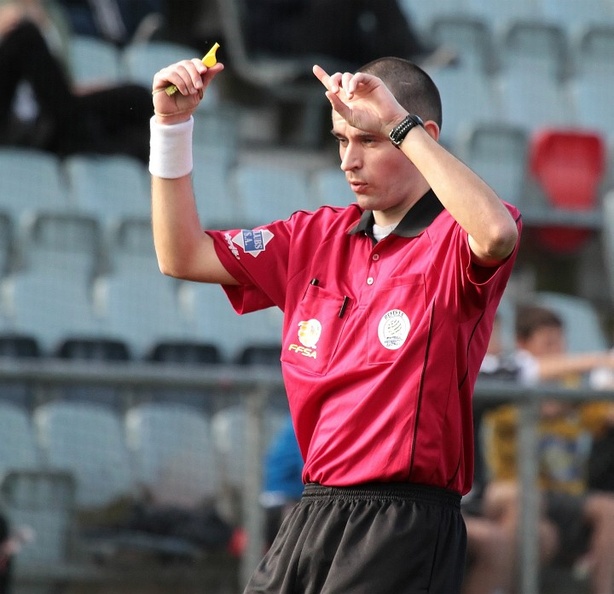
<point x="228" y="192"/>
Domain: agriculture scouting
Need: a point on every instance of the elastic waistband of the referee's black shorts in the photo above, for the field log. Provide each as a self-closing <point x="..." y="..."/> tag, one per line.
<point x="385" y="491"/>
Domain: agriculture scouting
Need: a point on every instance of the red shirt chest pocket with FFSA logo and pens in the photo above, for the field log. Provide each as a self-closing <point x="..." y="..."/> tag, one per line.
<point x="315" y="330"/>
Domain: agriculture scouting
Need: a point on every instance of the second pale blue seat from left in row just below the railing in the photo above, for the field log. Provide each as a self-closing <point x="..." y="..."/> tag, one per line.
<point x="87" y="440"/>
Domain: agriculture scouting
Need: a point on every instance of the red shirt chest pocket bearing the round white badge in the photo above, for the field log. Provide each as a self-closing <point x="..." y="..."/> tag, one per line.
<point x="394" y="318"/>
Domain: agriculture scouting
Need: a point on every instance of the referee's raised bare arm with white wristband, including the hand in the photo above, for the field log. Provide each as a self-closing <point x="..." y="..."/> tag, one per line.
<point x="183" y="249"/>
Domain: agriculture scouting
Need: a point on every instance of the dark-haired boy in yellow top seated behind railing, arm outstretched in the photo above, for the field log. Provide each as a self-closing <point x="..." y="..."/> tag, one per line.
<point x="577" y="525"/>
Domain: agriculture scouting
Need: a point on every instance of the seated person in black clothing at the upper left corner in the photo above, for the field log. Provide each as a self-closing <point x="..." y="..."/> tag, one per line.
<point x="65" y="119"/>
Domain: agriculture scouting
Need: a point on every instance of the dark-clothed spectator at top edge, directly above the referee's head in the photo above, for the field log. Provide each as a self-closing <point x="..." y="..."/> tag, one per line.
<point x="346" y="32"/>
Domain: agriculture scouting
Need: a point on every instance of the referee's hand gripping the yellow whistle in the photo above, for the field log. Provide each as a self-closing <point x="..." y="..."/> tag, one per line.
<point x="191" y="77"/>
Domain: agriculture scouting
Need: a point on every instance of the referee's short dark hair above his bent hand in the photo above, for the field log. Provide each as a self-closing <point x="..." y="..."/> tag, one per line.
<point x="412" y="87"/>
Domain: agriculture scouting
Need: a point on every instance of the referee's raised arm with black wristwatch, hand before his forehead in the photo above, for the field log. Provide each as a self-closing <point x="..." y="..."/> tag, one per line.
<point x="365" y="102"/>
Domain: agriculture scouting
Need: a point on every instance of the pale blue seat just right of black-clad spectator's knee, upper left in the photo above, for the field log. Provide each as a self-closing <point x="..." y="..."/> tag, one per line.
<point x="93" y="61"/>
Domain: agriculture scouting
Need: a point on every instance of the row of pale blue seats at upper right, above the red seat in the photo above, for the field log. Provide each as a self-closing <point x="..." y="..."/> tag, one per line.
<point x="530" y="84"/>
